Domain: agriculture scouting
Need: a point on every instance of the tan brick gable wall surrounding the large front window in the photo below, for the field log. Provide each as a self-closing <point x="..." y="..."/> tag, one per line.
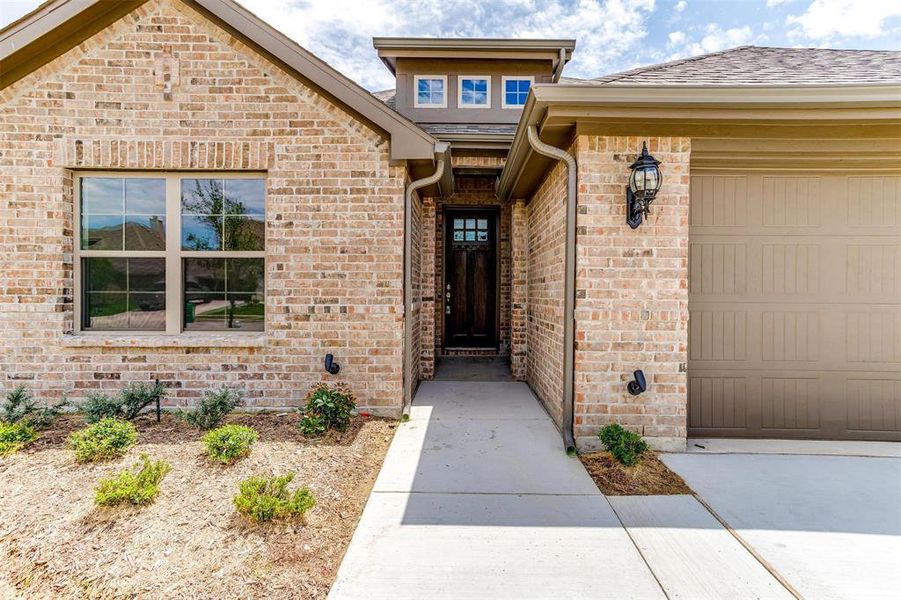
<point x="334" y="214"/>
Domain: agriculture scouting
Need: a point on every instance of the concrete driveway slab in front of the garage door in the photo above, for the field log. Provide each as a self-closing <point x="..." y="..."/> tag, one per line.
<point x="829" y="525"/>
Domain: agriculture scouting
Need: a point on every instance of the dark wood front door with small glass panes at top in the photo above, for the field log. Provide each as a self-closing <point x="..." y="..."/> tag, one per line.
<point x="470" y="279"/>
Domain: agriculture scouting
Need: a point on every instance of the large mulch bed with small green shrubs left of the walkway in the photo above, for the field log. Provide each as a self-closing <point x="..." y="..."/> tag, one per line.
<point x="190" y="543"/>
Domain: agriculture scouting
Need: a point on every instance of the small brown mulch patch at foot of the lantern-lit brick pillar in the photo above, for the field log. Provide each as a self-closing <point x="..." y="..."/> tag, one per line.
<point x="649" y="477"/>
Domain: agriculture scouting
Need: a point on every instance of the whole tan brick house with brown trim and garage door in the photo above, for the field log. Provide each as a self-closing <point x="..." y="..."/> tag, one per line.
<point x="355" y="269"/>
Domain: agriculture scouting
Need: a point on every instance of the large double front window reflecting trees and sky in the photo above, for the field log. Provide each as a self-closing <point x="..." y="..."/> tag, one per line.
<point x="171" y="253"/>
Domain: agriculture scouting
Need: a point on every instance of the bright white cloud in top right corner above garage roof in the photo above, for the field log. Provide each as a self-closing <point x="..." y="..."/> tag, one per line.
<point x="825" y="19"/>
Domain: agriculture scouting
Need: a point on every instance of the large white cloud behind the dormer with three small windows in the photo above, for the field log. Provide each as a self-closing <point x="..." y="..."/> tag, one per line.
<point x="340" y="32"/>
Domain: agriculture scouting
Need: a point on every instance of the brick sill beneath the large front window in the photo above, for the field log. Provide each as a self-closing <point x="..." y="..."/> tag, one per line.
<point x="184" y="340"/>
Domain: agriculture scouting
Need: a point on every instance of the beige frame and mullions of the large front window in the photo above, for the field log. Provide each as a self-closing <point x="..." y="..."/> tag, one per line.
<point x="173" y="253"/>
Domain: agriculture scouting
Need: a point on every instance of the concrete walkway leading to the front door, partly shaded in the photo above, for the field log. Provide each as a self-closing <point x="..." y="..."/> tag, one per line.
<point x="476" y="499"/>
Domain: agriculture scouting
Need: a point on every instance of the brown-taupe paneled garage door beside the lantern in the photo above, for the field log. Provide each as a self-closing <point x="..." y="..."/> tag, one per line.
<point x="795" y="303"/>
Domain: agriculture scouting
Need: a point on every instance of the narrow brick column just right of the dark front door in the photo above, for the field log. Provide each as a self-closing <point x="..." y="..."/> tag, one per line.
<point x="519" y="289"/>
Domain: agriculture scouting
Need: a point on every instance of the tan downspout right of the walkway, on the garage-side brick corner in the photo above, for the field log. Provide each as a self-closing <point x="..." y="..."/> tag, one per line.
<point x="569" y="300"/>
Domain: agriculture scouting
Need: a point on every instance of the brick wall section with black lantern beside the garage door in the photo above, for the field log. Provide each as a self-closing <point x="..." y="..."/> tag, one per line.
<point x="631" y="293"/>
